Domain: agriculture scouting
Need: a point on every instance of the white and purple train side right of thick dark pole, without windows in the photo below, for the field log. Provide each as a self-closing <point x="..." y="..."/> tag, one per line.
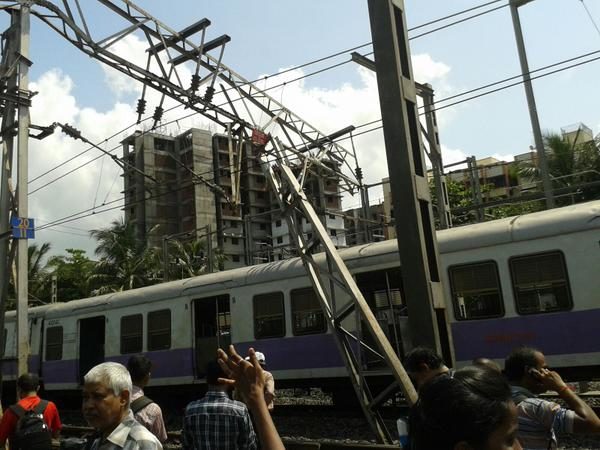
<point x="568" y="338"/>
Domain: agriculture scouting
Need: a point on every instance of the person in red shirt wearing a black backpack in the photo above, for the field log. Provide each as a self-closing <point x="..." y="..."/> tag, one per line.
<point x="31" y="423"/>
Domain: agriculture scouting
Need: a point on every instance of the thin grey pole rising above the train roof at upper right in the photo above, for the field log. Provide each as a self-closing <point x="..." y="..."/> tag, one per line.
<point x="535" y="123"/>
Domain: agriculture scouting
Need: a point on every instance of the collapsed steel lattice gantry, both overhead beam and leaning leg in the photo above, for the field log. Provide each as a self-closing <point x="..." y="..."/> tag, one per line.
<point x="294" y="150"/>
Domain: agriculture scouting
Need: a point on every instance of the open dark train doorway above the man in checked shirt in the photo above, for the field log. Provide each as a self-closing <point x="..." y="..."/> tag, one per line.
<point x="212" y="328"/>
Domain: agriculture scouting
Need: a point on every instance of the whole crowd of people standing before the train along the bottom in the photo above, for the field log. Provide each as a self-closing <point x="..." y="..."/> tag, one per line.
<point x="479" y="407"/>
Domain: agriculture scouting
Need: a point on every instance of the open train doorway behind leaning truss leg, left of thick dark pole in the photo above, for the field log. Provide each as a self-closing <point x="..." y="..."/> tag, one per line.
<point x="383" y="292"/>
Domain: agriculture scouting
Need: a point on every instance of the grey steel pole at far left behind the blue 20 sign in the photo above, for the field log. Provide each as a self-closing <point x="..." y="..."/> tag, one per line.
<point x="22" y="191"/>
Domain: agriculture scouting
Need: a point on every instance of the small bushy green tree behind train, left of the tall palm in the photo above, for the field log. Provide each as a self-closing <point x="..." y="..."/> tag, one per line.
<point x="73" y="272"/>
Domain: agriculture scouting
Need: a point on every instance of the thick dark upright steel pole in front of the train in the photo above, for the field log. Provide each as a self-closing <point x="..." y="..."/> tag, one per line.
<point x="408" y="178"/>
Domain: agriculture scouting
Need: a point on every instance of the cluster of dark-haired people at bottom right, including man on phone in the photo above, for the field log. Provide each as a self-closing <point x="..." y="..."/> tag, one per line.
<point x="482" y="407"/>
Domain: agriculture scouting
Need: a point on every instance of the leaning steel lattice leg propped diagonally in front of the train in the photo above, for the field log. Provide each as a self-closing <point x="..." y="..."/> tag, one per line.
<point x="339" y="296"/>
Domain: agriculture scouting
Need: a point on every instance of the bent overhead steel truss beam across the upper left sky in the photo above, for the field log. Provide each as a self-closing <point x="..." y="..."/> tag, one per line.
<point x="167" y="50"/>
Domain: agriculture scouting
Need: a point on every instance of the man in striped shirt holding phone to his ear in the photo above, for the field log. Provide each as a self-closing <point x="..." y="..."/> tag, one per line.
<point x="540" y="420"/>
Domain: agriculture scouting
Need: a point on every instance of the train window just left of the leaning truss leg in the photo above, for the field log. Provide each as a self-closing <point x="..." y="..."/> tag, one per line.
<point x="307" y="315"/>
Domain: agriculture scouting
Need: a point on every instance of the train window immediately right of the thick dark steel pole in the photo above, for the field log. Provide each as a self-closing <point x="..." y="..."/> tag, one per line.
<point x="476" y="292"/>
